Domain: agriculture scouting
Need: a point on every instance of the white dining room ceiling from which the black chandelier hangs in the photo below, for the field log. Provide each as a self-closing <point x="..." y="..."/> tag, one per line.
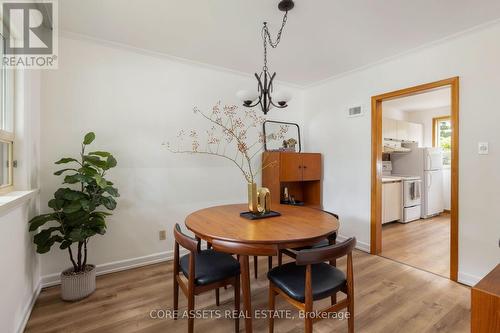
<point x="323" y="38"/>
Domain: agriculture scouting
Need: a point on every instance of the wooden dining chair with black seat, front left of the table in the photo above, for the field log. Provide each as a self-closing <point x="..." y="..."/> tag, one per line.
<point x="205" y="270"/>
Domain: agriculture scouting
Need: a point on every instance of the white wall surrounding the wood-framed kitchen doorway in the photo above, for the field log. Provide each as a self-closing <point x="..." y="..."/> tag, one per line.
<point x="345" y="142"/>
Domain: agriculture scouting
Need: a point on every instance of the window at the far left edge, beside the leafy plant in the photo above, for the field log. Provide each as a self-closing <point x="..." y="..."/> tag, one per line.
<point x="6" y="124"/>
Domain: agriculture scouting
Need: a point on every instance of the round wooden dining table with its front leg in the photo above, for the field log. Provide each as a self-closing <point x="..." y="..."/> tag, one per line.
<point x="223" y="227"/>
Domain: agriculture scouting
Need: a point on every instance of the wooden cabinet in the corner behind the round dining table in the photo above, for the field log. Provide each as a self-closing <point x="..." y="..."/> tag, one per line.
<point x="300" y="173"/>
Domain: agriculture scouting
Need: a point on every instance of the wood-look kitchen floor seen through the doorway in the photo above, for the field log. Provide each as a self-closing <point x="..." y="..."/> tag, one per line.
<point x="424" y="243"/>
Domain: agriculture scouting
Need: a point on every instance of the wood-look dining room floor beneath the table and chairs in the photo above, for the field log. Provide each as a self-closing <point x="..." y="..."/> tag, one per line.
<point x="389" y="297"/>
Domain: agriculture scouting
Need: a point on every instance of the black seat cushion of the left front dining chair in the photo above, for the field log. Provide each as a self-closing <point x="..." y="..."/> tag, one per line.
<point x="210" y="266"/>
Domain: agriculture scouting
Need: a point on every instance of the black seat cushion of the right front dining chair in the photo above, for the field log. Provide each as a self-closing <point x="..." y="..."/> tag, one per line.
<point x="291" y="278"/>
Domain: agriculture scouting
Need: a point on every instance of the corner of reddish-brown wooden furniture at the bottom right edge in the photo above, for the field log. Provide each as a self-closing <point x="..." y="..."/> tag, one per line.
<point x="485" y="304"/>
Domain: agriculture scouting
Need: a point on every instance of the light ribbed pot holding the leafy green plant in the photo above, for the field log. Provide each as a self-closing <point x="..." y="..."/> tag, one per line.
<point x="76" y="286"/>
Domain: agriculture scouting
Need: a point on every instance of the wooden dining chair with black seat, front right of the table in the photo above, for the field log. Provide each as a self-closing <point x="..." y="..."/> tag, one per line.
<point x="310" y="279"/>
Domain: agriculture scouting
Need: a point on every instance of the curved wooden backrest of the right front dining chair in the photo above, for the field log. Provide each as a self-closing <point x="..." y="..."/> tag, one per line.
<point x="315" y="256"/>
